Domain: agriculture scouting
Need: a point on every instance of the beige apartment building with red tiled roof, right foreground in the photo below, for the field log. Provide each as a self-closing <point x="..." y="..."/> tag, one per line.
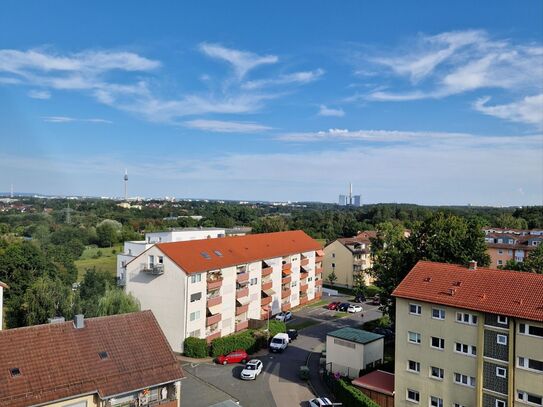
<point x="468" y="336"/>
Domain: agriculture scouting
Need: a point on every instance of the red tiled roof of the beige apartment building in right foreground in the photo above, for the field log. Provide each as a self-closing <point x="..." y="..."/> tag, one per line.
<point x="504" y="292"/>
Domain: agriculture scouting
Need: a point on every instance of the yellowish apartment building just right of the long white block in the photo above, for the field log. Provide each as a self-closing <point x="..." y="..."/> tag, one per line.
<point x="348" y="258"/>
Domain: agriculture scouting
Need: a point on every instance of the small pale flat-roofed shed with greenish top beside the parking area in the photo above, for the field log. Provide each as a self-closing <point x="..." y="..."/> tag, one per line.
<point x="351" y="350"/>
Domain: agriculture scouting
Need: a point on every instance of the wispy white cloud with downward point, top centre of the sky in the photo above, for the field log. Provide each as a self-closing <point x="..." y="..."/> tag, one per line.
<point x="242" y="61"/>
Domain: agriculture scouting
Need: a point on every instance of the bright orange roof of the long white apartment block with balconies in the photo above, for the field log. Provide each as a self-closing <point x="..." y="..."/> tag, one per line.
<point x="236" y="250"/>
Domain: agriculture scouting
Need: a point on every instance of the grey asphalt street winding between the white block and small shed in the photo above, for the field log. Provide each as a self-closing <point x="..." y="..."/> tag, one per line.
<point x="278" y="384"/>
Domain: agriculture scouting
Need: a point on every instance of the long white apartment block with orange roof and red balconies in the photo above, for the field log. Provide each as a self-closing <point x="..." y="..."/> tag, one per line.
<point x="211" y="288"/>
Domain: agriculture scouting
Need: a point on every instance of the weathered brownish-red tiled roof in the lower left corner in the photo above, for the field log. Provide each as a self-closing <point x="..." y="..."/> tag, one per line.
<point x="59" y="361"/>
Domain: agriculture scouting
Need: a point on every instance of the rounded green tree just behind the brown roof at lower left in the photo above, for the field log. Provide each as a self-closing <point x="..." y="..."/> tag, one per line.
<point x="46" y="298"/>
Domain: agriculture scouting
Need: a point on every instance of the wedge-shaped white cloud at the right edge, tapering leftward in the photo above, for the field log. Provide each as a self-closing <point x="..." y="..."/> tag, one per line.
<point x="528" y="110"/>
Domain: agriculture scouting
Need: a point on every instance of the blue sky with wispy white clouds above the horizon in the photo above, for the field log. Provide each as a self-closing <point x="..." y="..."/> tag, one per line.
<point x="441" y="103"/>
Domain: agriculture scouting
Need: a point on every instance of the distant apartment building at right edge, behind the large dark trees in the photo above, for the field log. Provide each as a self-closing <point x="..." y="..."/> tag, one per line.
<point x="510" y="244"/>
